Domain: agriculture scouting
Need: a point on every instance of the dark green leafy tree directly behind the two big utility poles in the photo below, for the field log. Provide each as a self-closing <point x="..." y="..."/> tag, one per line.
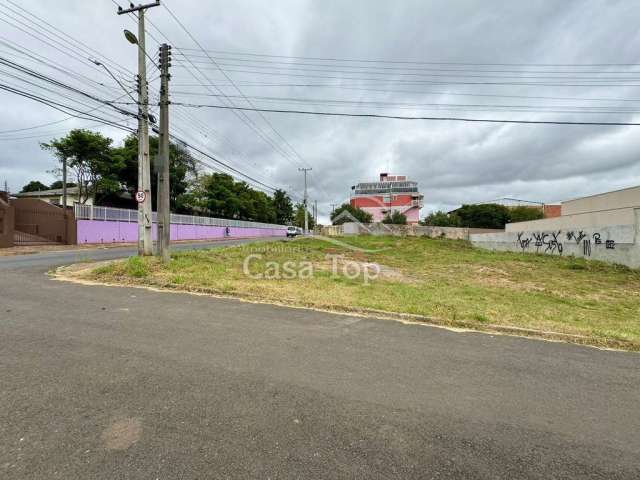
<point x="182" y="170"/>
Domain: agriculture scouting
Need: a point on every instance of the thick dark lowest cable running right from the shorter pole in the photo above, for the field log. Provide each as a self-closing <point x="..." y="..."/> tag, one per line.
<point x="398" y="117"/>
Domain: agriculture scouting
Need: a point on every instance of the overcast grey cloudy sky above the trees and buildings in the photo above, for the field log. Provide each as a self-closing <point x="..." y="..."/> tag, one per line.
<point x="536" y="60"/>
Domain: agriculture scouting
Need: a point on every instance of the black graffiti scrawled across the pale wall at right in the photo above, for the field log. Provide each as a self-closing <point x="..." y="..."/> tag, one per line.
<point x="553" y="242"/>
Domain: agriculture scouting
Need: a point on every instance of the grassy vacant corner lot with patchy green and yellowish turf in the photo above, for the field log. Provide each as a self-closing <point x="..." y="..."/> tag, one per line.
<point x="448" y="281"/>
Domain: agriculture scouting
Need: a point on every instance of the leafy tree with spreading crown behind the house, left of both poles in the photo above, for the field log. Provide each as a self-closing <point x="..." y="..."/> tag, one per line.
<point x="89" y="158"/>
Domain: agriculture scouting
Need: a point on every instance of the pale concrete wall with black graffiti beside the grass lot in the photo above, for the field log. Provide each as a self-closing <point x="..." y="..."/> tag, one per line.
<point x="610" y="243"/>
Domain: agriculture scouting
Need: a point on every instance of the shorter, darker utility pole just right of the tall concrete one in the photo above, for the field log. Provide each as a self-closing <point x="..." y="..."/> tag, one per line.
<point x="164" y="201"/>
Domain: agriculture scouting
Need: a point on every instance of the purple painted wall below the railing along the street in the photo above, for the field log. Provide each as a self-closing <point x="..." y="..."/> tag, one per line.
<point x="98" y="231"/>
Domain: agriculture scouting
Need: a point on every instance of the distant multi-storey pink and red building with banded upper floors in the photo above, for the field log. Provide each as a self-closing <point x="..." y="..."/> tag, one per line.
<point x="391" y="193"/>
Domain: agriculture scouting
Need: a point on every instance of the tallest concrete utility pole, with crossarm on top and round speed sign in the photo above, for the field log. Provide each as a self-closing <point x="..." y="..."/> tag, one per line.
<point x="143" y="195"/>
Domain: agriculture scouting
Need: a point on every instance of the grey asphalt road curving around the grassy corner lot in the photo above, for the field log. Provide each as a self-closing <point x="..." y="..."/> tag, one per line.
<point x="115" y="383"/>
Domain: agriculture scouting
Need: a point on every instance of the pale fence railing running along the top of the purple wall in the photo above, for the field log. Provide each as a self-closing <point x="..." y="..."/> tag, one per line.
<point x="92" y="212"/>
